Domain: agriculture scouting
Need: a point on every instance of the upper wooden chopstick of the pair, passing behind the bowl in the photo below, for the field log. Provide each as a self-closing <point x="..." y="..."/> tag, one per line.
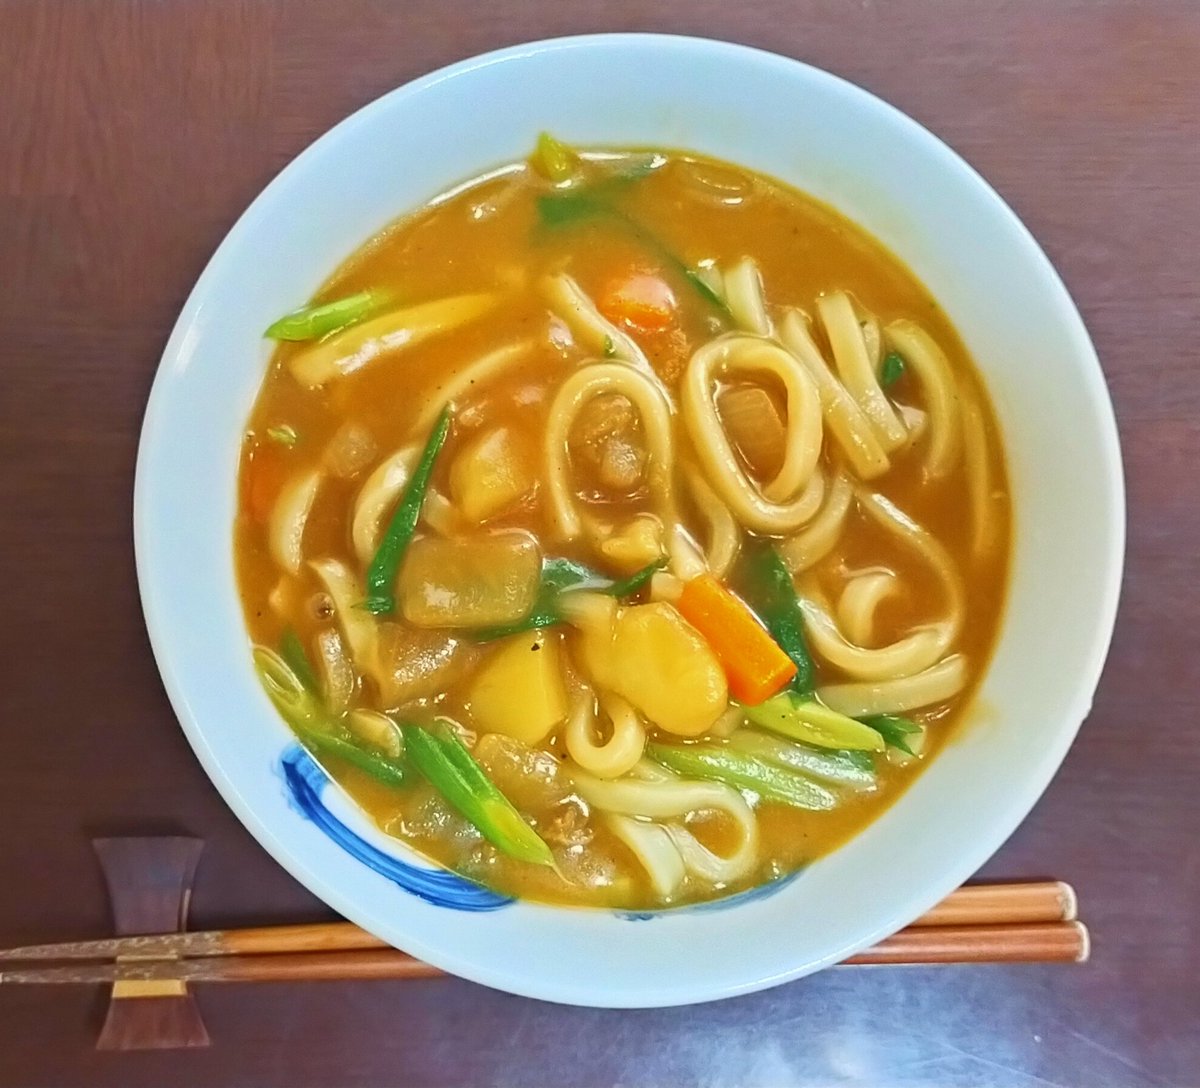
<point x="974" y="905"/>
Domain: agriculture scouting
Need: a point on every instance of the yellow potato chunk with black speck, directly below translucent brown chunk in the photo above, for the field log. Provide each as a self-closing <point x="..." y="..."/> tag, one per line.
<point x="519" y="690"/>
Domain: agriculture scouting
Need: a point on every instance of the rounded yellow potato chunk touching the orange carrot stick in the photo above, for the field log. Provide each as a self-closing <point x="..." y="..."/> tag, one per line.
<point x="659" y="663"/>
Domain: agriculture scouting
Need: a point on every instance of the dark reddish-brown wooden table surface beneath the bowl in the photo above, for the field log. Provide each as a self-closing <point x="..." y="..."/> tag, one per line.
<point x="131" y="137"/>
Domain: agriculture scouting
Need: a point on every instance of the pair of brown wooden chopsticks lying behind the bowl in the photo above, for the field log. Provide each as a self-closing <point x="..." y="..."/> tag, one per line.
<point x="977" y="924"/>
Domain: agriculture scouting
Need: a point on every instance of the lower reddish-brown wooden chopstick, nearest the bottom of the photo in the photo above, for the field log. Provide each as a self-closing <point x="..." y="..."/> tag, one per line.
<point x="1064" y="942"/>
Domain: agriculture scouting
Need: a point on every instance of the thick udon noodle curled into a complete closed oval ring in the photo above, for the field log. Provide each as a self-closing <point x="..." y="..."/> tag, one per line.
<point x="793" y="497"/>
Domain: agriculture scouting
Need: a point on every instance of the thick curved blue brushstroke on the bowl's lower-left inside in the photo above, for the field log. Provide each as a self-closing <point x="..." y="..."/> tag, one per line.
<point x="307" y="782"/>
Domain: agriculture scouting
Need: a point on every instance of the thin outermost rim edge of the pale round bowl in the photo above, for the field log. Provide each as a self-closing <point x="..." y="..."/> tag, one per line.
<point x="1004" y="822"/>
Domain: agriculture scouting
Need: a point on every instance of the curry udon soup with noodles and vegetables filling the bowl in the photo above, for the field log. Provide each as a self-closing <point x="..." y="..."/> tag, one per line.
<point x="622" y="528"/>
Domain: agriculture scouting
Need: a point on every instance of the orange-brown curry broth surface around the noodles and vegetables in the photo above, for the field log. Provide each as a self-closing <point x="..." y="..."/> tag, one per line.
<point x="489" y="237"/>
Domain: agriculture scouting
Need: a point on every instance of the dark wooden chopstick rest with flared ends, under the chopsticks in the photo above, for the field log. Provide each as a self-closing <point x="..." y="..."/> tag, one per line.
<point x="151" y="887"/>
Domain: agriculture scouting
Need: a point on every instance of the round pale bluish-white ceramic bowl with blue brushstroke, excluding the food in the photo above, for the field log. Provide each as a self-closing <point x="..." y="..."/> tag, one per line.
<point x="777" y="117"/>
